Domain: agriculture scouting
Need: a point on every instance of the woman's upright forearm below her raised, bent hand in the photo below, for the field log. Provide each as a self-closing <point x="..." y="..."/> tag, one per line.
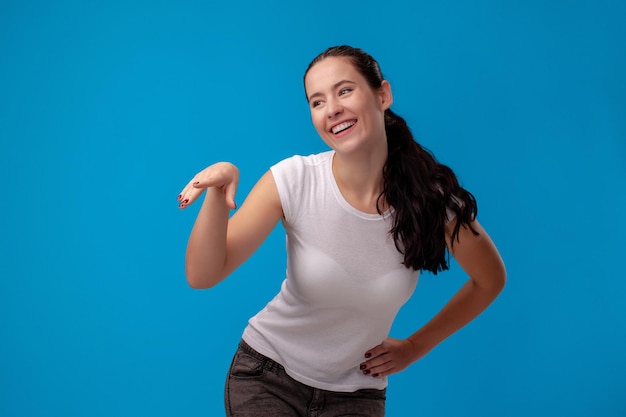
<point x="206" y="249"/>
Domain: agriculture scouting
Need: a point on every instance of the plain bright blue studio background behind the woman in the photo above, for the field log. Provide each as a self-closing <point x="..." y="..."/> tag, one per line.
<point x="108" y="108"/>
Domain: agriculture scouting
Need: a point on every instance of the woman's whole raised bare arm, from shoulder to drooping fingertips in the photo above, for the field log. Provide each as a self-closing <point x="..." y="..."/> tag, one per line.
<point x="218" y="245"/>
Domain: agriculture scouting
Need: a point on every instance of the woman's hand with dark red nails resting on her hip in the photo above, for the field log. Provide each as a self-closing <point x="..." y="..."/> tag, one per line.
<point x="390" y="357"/>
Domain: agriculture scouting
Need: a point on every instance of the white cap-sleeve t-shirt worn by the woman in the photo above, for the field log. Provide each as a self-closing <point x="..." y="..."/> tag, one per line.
<point x="345" y="282"/>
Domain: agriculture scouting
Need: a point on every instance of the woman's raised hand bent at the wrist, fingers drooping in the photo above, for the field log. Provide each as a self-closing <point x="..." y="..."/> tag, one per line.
<point x="222" y="175"/>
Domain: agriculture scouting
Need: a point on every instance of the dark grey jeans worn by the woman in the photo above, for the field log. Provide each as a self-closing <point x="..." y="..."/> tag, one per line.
<point x="258" y="386"/>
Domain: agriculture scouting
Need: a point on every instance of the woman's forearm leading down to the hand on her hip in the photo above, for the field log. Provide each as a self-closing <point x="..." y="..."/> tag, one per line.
<point x="467" y="304"/>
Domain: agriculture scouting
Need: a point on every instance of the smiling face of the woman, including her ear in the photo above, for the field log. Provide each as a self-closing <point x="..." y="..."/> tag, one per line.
<point x="347" y="114"/>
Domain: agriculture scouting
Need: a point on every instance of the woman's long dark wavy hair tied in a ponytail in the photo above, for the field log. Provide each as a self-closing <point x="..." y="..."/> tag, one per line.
<point x="415" y="185"/>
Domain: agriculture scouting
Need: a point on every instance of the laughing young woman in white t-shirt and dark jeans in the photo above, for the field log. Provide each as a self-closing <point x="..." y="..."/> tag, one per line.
<point x="362" y="220"/>
